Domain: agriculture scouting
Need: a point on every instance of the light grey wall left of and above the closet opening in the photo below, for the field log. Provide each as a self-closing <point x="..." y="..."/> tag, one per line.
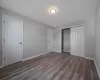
<point x="57" y="33"/>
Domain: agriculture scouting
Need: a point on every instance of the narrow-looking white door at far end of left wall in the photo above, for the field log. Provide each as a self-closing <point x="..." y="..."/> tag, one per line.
<point x="50" y="40"/>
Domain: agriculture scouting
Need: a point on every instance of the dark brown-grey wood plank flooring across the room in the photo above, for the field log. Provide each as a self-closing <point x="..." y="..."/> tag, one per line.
<point x="51" y="66"/>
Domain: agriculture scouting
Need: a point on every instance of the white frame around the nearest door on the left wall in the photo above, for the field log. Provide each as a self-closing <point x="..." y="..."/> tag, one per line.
<point x="3" y="37"/>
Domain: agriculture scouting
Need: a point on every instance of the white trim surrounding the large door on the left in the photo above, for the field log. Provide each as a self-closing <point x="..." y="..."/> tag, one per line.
<point x="3" y="29"/>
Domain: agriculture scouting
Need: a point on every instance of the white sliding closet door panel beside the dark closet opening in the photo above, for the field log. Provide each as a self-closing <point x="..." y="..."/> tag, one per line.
<point x="77" y="41"/>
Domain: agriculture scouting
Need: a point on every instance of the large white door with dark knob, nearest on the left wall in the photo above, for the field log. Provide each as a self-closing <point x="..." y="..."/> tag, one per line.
<point x="13" y="40"/>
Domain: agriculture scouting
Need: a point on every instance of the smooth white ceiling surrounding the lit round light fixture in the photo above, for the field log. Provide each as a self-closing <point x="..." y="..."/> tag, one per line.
<point x="69" y="10"/>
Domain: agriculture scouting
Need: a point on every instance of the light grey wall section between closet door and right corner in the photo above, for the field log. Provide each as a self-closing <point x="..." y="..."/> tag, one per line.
<point x="89" y="37"/>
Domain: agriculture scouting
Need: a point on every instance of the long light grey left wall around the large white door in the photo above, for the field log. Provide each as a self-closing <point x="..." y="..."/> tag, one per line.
<point x="35" y="35"/>
